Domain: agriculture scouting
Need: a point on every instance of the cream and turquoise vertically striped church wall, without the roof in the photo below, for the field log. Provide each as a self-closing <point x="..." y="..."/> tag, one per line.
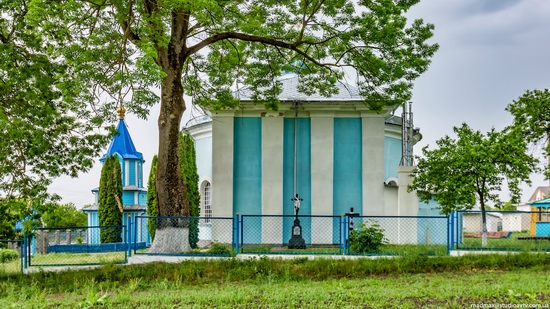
<point x="343" y="160"/>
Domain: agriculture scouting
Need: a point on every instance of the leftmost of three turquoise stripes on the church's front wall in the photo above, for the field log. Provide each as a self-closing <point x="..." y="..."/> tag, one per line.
<point x="247" y="174"/>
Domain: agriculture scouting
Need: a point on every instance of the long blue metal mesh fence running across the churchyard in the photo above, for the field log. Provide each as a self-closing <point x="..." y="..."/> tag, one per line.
<point x="286" y="234"/>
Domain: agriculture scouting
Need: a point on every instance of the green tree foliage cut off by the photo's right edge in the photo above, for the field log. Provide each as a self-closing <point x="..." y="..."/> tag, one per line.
<point x="531" y="114"/>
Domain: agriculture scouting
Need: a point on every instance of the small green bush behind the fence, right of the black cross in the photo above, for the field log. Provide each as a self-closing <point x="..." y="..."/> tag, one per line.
<point x="367" y="238"/>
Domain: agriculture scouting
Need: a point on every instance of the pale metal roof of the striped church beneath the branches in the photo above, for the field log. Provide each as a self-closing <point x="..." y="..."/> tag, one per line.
<point x="289" y="84"/>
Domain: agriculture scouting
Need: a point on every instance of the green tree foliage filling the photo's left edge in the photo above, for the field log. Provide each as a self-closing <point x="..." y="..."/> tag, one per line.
<point x="47" y="128"/>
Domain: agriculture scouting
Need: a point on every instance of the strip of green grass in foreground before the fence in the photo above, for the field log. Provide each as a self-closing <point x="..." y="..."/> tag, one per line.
<point x="436" y="282"/>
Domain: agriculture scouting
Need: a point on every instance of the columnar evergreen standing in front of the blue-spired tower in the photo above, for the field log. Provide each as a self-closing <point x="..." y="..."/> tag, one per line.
<point x="110" y="197"/>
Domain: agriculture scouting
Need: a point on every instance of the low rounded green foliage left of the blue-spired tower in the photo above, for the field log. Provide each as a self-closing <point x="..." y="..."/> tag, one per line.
<point x="67" y="215"/>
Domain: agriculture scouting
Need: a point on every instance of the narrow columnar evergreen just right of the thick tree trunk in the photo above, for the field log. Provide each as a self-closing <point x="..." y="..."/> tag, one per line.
<point x="188" y="167"/>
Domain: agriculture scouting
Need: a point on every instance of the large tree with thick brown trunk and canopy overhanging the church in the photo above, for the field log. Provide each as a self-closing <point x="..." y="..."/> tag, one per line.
<point x="205" y="47"/>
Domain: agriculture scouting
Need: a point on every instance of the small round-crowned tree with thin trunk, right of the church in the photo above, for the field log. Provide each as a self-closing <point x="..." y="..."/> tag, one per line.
<point x="460" y="173"/>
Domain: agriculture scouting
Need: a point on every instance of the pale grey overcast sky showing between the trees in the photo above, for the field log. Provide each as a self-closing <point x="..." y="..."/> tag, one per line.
<point x="491" y="51"/>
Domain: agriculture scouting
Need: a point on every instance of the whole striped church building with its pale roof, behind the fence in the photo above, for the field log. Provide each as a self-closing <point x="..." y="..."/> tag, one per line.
<point x="334" y="152"/>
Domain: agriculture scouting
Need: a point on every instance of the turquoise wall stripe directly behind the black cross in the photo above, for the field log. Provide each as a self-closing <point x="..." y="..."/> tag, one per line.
<point x="303" y="187"/>
